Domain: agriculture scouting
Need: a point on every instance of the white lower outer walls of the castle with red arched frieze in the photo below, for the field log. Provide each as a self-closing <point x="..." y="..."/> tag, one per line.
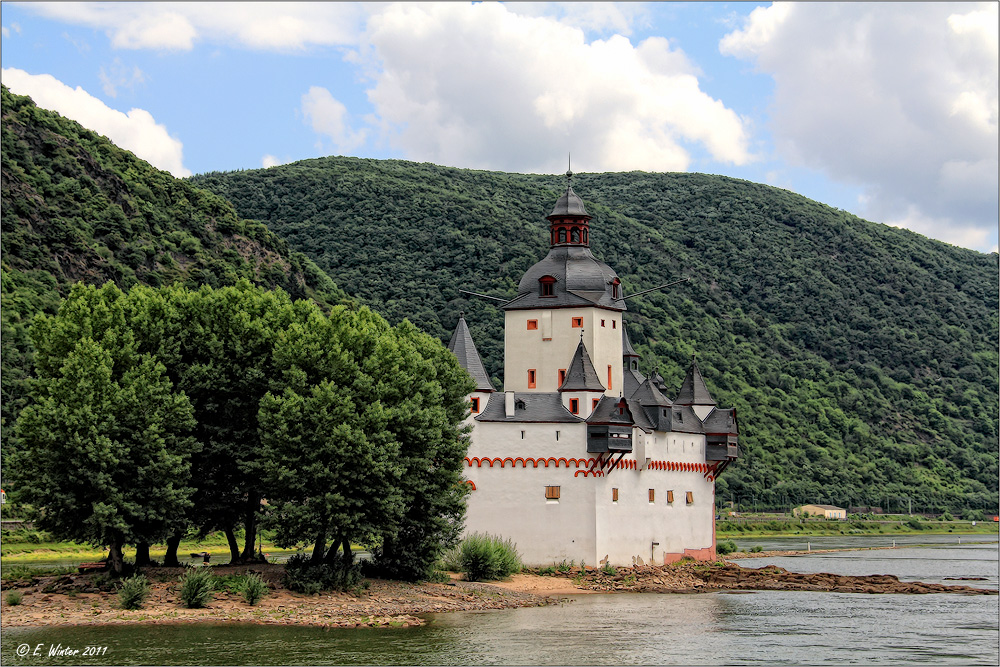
<point x="585" y="524"/>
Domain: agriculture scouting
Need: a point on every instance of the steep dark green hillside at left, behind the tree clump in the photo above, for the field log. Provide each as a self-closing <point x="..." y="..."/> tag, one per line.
<point x="78" y="208"/>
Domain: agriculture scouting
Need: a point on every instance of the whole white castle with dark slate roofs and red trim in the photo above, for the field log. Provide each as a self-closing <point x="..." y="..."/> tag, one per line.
<point x="581" y="457"/>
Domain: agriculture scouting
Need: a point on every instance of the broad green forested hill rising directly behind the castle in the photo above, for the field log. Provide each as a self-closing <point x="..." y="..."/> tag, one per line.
<point x="862" y="359"/>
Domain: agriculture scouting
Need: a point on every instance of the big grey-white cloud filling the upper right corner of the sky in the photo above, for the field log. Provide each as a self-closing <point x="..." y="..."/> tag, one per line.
<point x="899" y="98"/>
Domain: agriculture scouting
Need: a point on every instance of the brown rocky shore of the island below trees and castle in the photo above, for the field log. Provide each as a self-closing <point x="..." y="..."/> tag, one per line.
<point x="77" y="599"/>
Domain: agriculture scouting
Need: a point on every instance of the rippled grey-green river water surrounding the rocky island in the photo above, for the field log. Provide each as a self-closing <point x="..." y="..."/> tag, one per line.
<point x="760" y="627"/>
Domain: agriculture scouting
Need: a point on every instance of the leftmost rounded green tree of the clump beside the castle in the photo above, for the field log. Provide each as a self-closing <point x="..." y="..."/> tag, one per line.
<point x="104" y="453"/>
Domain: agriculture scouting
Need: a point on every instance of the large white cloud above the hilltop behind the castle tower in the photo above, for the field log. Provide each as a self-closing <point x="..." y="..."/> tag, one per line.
<point x="482" y="86"/>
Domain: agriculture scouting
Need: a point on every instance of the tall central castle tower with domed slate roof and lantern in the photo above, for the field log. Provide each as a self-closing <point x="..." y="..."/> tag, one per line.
<point x="568" y="293"/>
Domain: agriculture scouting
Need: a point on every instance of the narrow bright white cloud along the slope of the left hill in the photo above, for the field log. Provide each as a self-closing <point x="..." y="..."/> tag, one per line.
<point x="135" y="131"/>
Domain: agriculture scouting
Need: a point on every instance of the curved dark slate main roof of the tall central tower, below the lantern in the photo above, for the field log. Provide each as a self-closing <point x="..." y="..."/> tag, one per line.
<point x="581" y="280"/>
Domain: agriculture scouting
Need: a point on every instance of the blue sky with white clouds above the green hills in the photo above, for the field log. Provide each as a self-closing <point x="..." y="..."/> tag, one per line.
<point x="886" y="110"/>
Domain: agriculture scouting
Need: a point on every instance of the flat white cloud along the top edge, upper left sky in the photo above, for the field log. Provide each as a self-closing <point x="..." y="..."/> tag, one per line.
<point x="179" y="25"/>
